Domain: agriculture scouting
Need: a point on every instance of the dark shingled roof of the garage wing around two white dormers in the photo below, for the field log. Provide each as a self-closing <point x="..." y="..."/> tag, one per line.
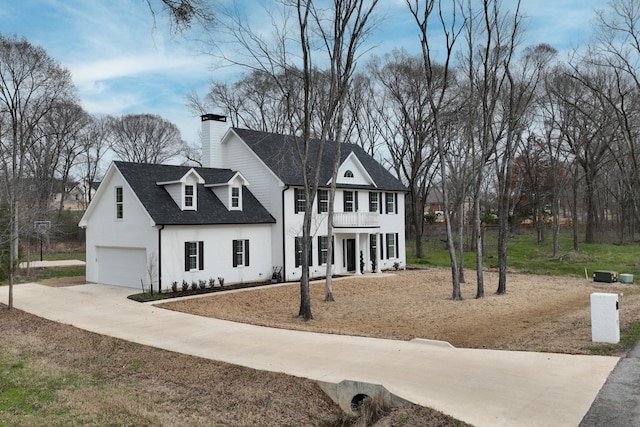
<point x="143" y="179"/>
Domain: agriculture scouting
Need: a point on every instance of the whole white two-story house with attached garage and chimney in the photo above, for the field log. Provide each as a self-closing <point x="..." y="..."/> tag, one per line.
<point x="240" y="216"/>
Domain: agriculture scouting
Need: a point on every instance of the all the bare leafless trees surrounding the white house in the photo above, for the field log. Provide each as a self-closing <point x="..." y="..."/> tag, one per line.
<point x="493" y="124"/>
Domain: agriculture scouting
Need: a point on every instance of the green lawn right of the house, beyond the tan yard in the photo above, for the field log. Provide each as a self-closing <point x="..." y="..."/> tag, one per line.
<point x="526" y="256"/>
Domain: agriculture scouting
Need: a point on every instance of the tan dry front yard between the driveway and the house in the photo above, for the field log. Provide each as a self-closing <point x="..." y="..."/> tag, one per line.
<point x="537" y="314"/>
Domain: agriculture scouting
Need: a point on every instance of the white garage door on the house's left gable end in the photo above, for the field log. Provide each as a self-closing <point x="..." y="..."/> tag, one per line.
<point x="122" y="266"/>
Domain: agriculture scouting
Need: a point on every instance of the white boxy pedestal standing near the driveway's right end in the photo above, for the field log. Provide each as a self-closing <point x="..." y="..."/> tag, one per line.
<point x="605" y="321"/>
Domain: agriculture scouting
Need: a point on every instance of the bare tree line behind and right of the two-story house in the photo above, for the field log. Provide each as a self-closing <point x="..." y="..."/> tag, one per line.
<point x="500" y="129"/>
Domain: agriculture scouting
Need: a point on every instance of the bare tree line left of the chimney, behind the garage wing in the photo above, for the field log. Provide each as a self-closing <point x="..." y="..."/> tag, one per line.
<point x="48" y="141"/>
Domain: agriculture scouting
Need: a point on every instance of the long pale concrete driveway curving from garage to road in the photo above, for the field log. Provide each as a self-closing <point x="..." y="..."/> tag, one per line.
<point x="481" y="387"/>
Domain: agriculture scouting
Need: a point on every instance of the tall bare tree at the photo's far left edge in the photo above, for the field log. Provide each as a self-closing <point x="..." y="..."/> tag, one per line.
<point x="31" y="84"/>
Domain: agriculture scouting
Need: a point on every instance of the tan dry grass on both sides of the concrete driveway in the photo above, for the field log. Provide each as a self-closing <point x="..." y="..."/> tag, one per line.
<point x="97" y="380"/>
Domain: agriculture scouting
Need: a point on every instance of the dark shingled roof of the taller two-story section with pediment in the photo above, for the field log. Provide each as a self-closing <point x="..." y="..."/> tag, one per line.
<point x="279" y="154"/>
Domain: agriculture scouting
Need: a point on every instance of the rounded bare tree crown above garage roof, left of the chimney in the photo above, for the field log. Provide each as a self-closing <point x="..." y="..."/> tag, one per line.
<point x="144" y="138"/>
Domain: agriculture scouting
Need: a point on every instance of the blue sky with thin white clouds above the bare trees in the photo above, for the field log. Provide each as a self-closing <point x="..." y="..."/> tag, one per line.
<point x="122" y="63"/>
